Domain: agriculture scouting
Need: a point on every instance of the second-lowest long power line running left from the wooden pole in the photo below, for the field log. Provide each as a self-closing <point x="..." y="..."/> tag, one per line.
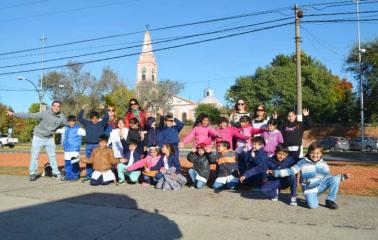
<point x="158" y="42"/>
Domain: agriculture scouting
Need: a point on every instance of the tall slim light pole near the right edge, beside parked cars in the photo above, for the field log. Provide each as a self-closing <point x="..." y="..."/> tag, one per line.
<point x="360" y="51"/>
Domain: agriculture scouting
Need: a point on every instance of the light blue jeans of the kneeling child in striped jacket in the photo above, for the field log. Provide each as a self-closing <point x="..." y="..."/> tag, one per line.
<point x="332" y="183"/>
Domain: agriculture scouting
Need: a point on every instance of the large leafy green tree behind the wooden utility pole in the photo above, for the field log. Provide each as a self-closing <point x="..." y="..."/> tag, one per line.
<point x="275" y="86"/>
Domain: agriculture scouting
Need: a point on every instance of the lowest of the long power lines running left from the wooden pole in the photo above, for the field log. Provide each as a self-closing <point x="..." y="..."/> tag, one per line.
<point x="157" y="50"/>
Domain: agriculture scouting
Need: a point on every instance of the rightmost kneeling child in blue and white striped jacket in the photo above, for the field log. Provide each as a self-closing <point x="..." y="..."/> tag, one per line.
<point x="315" y="177"/>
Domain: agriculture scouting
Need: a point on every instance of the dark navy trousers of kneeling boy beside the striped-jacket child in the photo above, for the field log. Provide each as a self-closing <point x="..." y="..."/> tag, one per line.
<point x="271" y="186"/>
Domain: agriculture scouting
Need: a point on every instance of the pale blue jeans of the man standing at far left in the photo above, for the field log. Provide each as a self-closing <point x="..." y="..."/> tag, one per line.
<point x="37" y="144"/>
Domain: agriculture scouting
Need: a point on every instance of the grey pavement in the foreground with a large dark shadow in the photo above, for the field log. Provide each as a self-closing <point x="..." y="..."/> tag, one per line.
<point x="51" y="209"/>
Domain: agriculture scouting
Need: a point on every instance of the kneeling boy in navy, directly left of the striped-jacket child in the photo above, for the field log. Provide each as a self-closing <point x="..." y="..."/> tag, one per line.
<point x="272" y="186"/>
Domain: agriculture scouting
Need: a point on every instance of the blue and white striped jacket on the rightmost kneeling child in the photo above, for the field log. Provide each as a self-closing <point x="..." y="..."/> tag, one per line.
<point x="311" y="173"/>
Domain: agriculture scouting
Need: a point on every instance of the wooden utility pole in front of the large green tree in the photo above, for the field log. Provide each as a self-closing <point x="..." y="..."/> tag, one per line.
<point x="298" y="15"/>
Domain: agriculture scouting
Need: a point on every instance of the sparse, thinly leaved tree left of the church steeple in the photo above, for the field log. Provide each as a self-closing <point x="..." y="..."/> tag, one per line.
<point x="76" y="87"/>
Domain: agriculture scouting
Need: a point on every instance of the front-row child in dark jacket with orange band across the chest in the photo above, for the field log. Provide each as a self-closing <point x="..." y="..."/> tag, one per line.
<point x="227" y="167"/>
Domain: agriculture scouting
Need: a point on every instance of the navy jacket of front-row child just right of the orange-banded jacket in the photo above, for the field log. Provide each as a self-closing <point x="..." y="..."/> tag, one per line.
<point x="258" y="164"/>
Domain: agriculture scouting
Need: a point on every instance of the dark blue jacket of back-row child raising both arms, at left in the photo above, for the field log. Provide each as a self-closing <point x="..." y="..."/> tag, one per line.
<point x="93" y="131"/>
